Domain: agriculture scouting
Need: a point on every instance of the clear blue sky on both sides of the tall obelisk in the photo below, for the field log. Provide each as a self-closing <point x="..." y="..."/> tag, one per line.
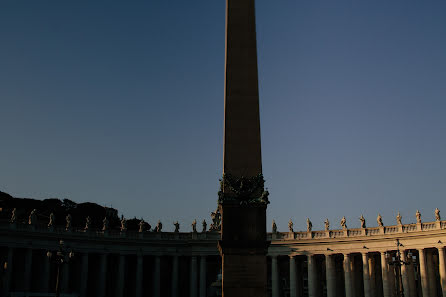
<point x="121" y="103"/>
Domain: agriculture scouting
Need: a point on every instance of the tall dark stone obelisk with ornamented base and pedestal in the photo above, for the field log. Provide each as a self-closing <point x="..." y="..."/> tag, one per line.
<point x="242" y="197"/>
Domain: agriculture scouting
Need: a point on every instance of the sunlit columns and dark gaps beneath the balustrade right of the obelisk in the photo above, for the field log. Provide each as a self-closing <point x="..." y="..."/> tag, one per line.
<point x="367" y="274"/>
